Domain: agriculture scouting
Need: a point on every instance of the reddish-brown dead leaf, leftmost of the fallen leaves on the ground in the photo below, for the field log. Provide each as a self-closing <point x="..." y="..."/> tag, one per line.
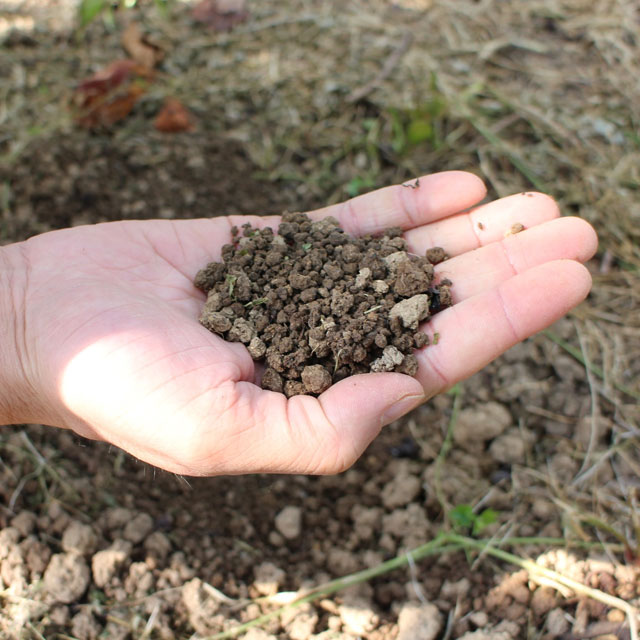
<point x="110" y="94"/>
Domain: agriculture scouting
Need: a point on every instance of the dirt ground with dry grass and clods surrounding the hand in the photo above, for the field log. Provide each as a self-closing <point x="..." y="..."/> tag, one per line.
<point x="305" y="104"/>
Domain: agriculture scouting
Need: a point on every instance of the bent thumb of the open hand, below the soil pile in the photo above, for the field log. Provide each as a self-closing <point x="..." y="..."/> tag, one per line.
<point x="328" y="434"/>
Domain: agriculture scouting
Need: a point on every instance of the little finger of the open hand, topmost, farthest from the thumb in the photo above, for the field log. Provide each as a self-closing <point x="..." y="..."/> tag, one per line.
<point x="415" y="203"/>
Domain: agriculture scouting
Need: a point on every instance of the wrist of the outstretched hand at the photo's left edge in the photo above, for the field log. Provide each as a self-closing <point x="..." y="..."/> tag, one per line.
<point x="16" y="392"/>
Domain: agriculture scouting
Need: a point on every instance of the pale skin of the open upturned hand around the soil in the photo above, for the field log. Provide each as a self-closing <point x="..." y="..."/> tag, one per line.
<point x="99" y="330"/>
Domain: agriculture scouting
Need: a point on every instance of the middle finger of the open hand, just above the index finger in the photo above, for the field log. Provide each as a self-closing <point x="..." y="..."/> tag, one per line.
<point x="477" y="271"/>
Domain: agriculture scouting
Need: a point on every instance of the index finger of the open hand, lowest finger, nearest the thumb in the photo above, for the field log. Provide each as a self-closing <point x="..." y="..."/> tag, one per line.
<point x="477" y="330"/>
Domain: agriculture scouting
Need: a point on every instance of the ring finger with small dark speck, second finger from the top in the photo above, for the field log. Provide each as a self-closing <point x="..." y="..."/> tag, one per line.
<point x="484" y="224"/>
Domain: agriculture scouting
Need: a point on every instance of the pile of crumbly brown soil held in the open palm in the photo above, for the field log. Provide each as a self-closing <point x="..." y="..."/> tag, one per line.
<point x="318" y="305"/>
